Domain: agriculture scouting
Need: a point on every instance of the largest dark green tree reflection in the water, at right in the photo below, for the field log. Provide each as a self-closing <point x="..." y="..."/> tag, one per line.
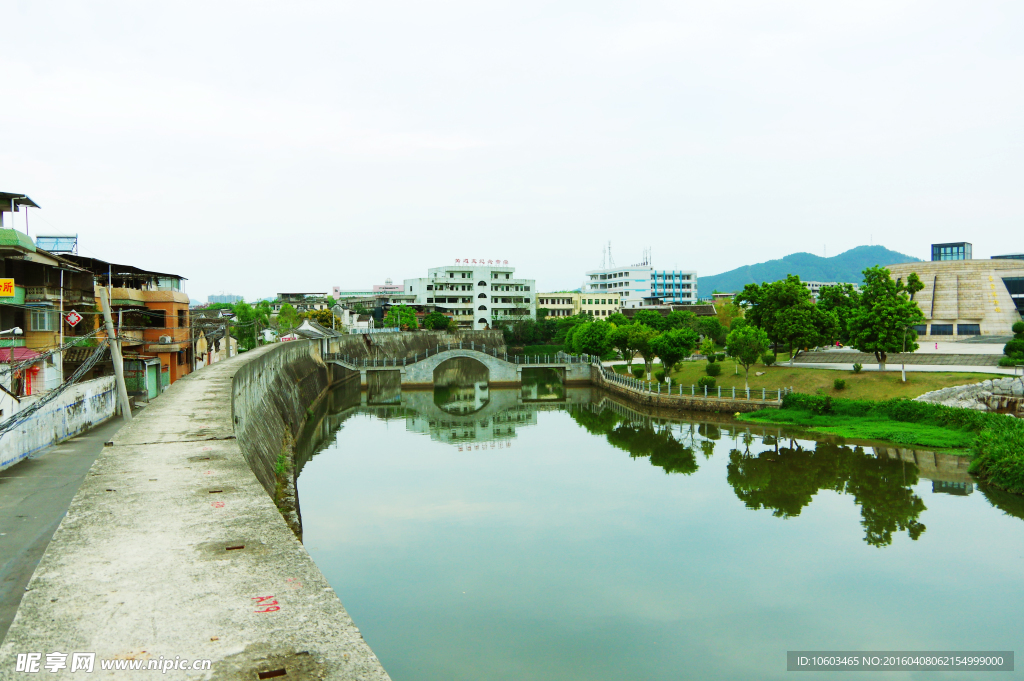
<point x="785" y="481"/>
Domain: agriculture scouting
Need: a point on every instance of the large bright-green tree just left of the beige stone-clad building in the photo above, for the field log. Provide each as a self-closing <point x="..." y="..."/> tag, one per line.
<point x="884" y="320"/>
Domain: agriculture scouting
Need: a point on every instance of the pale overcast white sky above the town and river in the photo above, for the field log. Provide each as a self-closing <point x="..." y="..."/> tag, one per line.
<point x="257" y="148"/>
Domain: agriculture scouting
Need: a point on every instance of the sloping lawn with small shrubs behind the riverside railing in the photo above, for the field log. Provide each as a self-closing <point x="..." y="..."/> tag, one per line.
<point x="867" y="386"/>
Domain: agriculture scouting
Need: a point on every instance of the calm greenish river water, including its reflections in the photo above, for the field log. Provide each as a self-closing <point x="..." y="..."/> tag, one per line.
<point x="556" y="534"/>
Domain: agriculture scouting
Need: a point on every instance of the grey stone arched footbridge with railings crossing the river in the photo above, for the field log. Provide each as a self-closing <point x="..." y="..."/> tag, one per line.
<point x="419" y="371"/>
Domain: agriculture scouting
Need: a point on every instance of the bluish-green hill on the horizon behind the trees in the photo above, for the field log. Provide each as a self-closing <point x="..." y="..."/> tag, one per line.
<point x="843" y="268"/>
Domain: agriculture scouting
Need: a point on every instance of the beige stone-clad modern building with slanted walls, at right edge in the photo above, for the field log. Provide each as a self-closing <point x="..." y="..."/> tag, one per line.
<point x="964" y="297"/>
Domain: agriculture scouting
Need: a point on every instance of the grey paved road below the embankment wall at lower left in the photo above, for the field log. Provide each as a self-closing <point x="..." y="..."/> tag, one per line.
<point x="34" y="497"/>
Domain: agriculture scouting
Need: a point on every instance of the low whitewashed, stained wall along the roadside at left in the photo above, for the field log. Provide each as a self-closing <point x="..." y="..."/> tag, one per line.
<point x="79" y="408"/>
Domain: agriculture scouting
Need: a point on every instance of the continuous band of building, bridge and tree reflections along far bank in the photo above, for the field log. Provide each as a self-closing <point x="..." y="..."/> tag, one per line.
<point x="765" y="471"/>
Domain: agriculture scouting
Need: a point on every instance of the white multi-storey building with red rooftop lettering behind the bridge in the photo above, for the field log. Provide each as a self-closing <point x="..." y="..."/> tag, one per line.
<point x="477" y="295"/>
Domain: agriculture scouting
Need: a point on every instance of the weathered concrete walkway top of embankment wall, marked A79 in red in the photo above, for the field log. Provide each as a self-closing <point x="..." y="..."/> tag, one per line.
<point x="141" y="566"/>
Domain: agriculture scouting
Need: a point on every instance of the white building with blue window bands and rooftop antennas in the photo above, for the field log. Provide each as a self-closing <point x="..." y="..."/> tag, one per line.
<point x="635" y="283"/>
